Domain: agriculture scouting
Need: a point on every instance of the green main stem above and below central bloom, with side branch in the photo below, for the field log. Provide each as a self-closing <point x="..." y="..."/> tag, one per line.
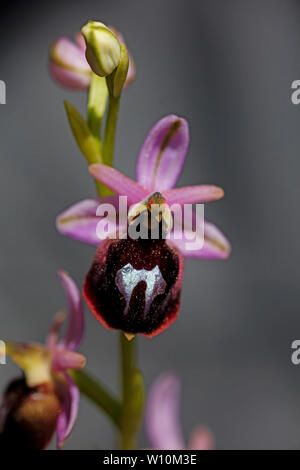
<point x="127" y="414"/>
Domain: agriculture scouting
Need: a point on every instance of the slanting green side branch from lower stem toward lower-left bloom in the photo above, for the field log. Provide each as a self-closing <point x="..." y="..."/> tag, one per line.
<point x="98" y="394"/>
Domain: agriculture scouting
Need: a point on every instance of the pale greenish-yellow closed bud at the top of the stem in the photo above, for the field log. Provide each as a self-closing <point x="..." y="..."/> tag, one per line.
<point x="102" y="48"/>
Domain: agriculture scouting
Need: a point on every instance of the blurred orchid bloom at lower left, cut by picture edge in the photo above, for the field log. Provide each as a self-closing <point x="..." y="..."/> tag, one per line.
<point x="47" y="398"/>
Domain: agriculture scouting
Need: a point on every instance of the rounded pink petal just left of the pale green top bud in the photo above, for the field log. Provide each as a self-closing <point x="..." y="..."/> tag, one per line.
<point x="68" y="64"/>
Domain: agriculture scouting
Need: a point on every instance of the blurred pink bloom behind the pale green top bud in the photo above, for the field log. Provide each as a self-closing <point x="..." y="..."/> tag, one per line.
<point x="68" y="64"/>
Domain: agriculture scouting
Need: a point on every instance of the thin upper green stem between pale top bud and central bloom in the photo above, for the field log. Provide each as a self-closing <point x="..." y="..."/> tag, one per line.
<point x="110" y="130"/>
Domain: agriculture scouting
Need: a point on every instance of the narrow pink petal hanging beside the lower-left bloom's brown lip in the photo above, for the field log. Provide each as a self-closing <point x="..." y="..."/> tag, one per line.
<point x="69" y="398"/>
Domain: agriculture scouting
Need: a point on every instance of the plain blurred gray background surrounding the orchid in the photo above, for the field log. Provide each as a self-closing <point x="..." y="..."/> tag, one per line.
<point x="227" y="66"/>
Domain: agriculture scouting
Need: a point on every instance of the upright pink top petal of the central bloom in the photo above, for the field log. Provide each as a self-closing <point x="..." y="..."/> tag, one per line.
<point x="162" y="154"/>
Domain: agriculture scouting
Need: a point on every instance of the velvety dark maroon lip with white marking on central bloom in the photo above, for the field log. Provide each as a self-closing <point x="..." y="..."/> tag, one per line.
<point x="135" y="285"/>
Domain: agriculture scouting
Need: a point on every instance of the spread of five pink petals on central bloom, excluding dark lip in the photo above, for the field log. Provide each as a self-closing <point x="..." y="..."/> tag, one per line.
<point x="159" y="165"/>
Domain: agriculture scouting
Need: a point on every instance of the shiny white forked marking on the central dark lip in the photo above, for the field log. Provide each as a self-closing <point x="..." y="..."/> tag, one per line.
<point x="127" y="278"/>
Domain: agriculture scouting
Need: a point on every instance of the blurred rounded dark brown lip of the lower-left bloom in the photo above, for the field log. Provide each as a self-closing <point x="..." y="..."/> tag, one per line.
<point x="28" y="416"/>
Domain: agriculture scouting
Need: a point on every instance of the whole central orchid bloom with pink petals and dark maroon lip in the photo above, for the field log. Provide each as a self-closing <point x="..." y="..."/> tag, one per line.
<point x="135" y="285"/>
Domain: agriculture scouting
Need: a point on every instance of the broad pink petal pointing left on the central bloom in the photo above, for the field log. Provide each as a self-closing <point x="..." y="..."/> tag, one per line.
<point x="80" y="220"/>
